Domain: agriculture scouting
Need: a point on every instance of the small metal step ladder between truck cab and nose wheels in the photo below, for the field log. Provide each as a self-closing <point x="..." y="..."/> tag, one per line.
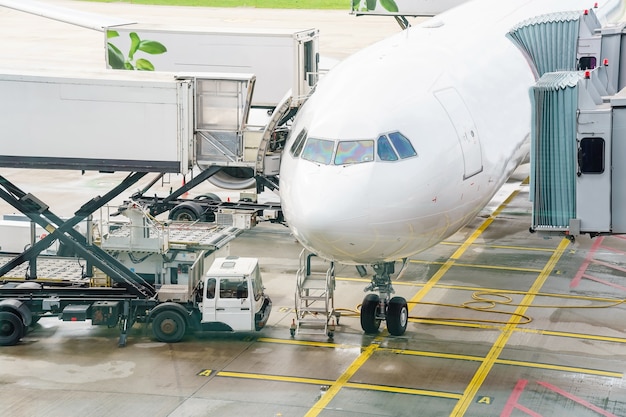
<point x="315" y="304"/>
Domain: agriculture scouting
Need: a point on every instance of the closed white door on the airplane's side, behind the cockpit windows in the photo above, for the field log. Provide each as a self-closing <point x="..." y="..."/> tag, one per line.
<point x="466" y="130"/>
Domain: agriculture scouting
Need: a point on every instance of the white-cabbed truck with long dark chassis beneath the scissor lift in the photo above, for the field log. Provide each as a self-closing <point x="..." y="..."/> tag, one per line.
<point x="228" y="297"/>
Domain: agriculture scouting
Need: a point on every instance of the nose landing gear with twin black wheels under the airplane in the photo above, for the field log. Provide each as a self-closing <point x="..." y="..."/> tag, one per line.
<point x="376" y="308"/>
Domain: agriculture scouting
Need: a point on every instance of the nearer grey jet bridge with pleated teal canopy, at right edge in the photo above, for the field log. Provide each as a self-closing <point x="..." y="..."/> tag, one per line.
<point x="577" y="146"/>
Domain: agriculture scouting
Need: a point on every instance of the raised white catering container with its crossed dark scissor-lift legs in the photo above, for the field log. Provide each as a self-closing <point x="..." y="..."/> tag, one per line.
<point x="117" y="121"/>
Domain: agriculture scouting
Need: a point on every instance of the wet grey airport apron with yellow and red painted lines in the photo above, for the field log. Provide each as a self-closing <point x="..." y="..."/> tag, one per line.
<point x="503" y="322"/>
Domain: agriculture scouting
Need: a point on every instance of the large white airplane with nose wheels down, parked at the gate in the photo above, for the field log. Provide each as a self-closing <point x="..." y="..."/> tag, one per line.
<point x="403" y="143"/>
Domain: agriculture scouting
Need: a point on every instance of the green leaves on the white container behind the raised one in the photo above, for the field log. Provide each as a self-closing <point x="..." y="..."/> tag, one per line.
<point x="117" y="60"/>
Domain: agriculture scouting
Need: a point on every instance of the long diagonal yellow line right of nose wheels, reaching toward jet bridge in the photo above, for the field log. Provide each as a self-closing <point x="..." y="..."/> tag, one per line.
<point x="491" y="358"/>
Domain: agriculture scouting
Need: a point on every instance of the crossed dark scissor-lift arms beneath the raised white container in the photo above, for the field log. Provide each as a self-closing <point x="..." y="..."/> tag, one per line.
<point x="64" y="231"/>
